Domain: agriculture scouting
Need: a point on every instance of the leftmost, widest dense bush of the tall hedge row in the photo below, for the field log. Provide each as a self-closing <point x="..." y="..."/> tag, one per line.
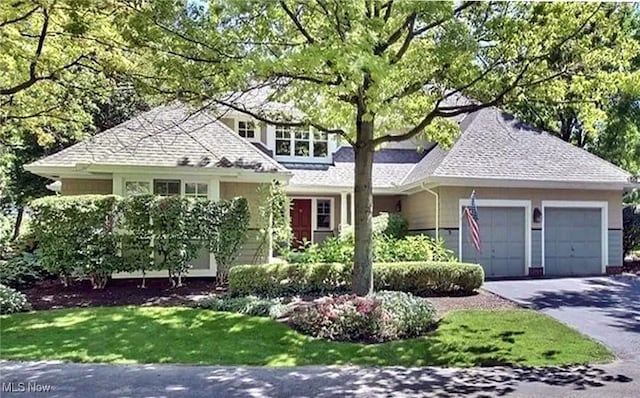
<point x="77" y="236"/>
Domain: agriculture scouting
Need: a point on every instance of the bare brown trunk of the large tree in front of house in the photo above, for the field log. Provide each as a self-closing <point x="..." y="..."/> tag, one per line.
<point x="363" y="225"/>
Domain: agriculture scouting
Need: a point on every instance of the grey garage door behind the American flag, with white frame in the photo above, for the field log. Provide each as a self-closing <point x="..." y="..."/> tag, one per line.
<point x="505" y="241"/>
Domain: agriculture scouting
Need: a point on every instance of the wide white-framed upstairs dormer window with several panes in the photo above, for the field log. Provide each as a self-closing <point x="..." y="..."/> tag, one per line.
<point x="301" y="143"/>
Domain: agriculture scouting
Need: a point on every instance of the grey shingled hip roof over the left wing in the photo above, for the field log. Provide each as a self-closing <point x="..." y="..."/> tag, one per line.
<point x="171" y="135"/>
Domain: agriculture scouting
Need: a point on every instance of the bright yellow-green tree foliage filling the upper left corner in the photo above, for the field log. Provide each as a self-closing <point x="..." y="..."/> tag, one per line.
<point x="56" y="56"/>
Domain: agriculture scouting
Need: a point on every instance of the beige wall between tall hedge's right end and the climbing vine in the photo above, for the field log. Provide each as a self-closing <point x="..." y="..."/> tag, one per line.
<point x="254" y="250"/>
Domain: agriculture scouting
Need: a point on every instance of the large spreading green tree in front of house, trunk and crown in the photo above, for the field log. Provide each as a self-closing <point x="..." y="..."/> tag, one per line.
<point x="373" y="72"/>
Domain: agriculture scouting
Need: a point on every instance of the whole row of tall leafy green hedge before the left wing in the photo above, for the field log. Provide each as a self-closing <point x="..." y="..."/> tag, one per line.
<point x="93" y="236"/>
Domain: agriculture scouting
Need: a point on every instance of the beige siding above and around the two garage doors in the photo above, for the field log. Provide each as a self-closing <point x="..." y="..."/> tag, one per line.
<point x="450" y="196"/>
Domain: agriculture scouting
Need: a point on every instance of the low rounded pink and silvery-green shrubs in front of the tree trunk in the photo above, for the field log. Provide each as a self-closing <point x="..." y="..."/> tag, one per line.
<point x="381" y="317"/>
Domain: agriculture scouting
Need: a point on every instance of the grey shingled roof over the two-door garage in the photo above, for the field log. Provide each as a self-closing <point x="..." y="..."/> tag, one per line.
<point x="495" y="145"/>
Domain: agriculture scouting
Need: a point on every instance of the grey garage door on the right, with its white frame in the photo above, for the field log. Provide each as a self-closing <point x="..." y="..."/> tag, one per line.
<point x="574" y="238"/>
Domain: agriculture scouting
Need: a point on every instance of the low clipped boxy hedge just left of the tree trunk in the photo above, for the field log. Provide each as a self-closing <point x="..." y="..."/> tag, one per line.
<point x="284" y="279"/>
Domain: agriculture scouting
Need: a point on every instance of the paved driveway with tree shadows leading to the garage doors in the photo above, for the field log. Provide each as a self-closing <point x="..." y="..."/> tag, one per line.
<point x="605" y="308"/>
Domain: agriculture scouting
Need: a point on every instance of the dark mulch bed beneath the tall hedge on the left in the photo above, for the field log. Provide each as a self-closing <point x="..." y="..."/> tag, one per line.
<point x="47" y="295"/>
